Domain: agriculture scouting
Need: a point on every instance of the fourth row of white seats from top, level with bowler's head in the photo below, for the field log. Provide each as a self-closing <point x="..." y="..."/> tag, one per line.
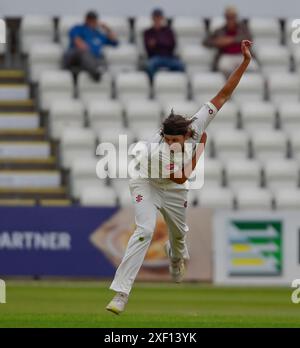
<point x="140" y="119"/>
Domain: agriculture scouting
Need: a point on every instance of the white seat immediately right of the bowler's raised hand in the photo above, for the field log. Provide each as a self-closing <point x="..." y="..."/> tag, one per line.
<point x="273" y="58"/>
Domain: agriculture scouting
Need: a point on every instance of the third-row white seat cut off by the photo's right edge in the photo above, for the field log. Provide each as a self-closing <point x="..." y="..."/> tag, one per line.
<point x="284" y="87"/>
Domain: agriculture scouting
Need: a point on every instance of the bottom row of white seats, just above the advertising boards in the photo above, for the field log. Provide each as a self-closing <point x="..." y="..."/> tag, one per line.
<point x="254" y="198"/>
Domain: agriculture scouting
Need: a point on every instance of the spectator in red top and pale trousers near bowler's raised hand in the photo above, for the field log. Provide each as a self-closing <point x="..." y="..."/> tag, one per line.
<point x="228" y="42"/>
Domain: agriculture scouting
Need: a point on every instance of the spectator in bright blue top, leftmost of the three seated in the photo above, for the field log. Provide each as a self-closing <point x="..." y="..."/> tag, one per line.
<point x="86" y="45"/>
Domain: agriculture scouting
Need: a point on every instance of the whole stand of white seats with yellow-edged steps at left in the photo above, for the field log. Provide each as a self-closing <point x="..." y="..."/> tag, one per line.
<point x="50" y="123"/>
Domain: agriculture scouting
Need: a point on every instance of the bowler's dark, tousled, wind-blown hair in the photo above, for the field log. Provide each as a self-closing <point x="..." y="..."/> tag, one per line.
<point x="177" y="125"/>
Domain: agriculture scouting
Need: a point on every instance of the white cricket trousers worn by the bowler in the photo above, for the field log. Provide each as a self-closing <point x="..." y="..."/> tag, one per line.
<point x="148" y="198"/>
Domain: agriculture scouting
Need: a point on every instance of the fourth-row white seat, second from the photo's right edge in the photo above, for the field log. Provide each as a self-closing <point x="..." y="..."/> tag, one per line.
<point x="258" y="115"/>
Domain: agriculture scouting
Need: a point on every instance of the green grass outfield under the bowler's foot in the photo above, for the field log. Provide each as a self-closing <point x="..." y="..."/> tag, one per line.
<point x="81" y="304"/>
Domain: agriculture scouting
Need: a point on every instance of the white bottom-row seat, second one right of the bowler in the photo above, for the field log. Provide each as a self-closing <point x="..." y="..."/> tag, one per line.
<point x="250" y="198"/>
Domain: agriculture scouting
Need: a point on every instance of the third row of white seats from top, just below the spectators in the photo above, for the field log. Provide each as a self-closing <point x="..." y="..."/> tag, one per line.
<point x="167" y="87"/>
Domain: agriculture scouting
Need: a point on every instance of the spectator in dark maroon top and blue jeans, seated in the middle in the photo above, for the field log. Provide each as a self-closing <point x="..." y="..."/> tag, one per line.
<point x="160" y="43"/>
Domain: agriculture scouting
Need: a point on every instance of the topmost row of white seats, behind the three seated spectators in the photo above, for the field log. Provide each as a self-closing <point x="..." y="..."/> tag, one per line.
<point x="189" y="30"/>
